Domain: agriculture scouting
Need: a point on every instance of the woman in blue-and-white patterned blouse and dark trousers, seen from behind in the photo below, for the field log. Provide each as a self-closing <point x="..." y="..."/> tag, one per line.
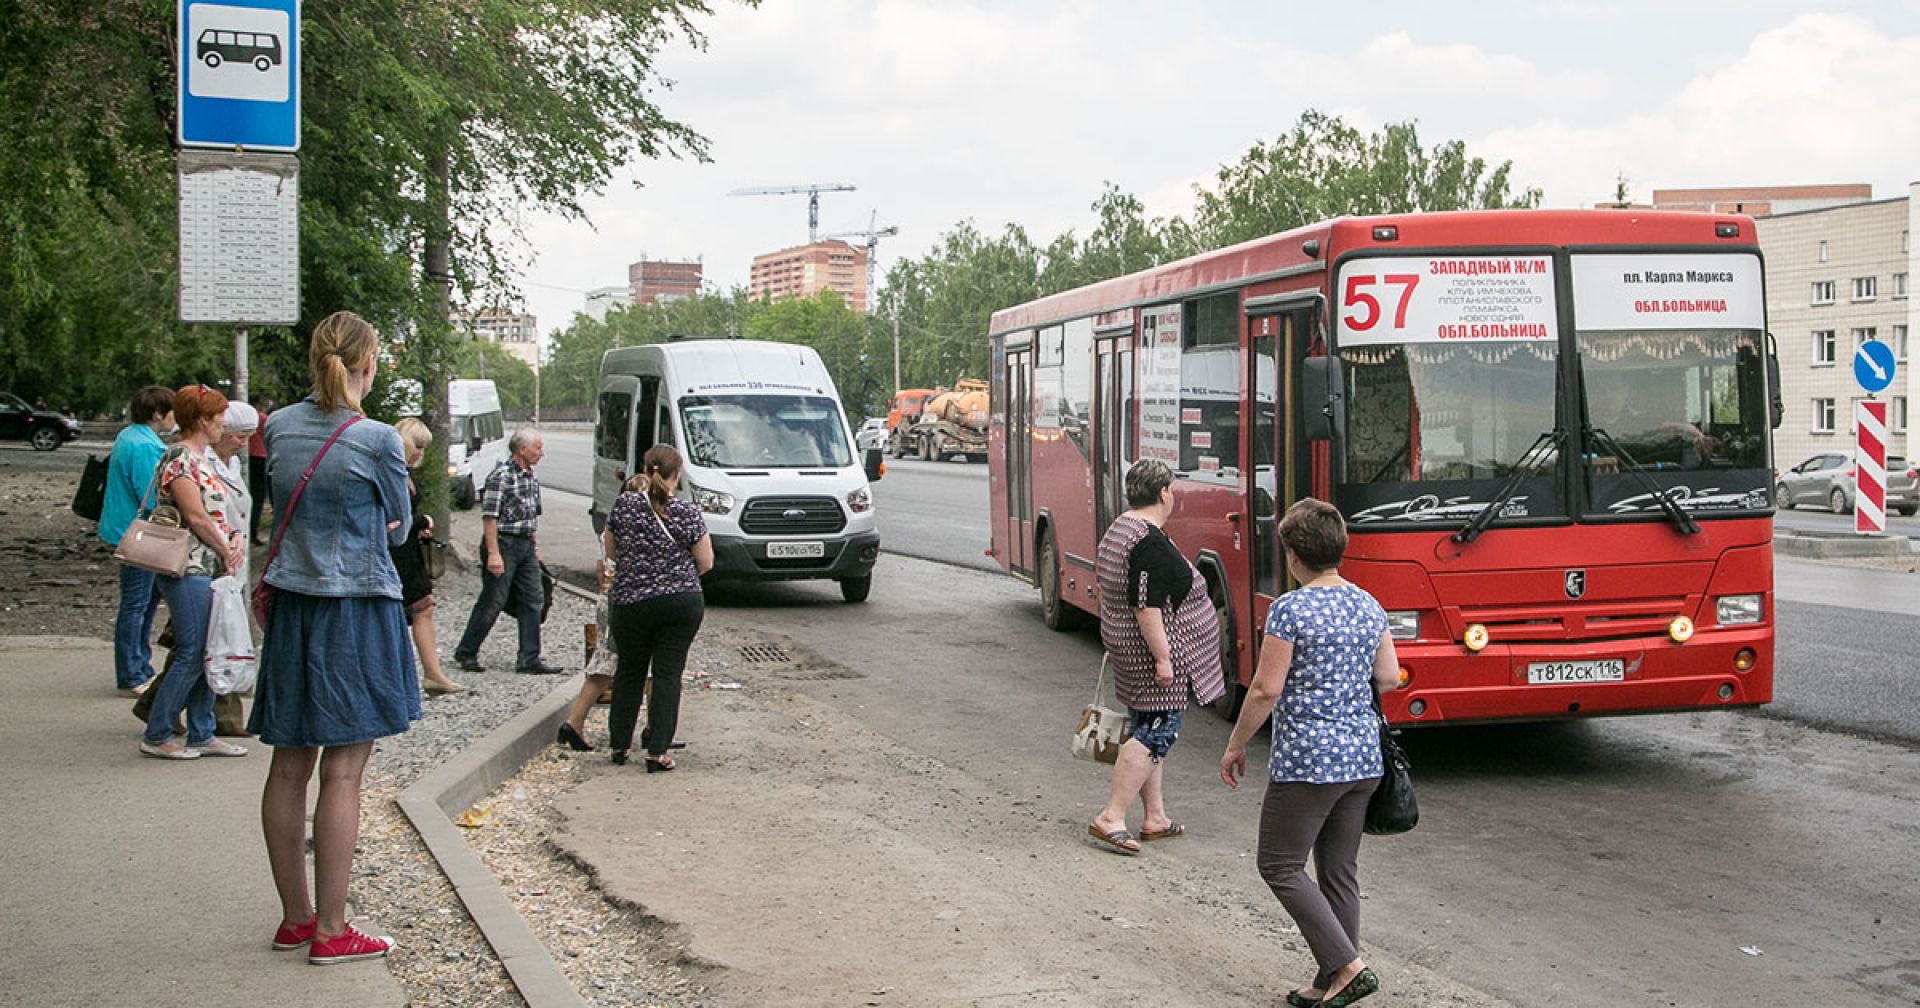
<point x="1326" y="652"/>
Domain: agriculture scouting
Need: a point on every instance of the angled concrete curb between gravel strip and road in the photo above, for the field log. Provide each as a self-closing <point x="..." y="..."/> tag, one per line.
<point x="452" y="788"/>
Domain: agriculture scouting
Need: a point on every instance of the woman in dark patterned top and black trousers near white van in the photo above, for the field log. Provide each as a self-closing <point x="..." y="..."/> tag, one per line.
<point x="660" y="548"/>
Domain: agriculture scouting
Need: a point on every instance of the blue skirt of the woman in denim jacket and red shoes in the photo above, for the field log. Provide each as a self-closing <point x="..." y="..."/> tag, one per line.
<point x="335" y="673"/>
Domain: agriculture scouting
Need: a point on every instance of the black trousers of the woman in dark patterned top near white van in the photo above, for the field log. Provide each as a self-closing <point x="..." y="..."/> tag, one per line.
<point x="652" y="638"/>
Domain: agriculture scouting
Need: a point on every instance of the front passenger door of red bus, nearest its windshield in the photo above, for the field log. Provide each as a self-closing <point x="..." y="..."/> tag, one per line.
<point x="1278" y="341"/>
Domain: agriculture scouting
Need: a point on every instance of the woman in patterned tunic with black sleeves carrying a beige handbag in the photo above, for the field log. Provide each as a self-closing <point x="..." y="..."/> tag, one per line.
<point x="1163" y="640"/>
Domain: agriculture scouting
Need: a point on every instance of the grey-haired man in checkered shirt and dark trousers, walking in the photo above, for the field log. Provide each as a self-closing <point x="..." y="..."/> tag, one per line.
<point x="510" y="516"/>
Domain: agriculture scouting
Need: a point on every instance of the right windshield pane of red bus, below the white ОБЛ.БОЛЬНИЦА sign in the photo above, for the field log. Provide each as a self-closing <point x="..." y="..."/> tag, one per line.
<point x="1683" y="412"/>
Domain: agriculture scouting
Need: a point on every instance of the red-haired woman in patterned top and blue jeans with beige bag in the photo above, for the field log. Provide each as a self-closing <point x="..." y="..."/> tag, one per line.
<point x="187" y="483"/>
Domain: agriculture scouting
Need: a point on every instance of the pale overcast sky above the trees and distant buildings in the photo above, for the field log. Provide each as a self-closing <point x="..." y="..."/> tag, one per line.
<point x="1017" y="112"/>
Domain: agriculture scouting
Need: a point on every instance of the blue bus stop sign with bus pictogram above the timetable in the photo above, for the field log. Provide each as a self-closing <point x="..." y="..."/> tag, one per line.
<point x="241" y="76"/>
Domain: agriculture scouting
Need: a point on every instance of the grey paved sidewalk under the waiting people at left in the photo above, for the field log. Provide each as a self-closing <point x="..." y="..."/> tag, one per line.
<point x="130" y="880"/>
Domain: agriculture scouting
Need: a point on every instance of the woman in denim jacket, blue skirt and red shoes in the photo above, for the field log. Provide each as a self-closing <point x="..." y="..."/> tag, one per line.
<point x="337" y="663"/>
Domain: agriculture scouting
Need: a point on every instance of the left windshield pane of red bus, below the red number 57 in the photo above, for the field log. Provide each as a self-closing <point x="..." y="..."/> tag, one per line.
<point x="1435" y="431"/>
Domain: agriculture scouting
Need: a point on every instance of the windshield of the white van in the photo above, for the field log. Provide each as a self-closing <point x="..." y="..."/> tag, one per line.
<point x="765" y="433"/>
